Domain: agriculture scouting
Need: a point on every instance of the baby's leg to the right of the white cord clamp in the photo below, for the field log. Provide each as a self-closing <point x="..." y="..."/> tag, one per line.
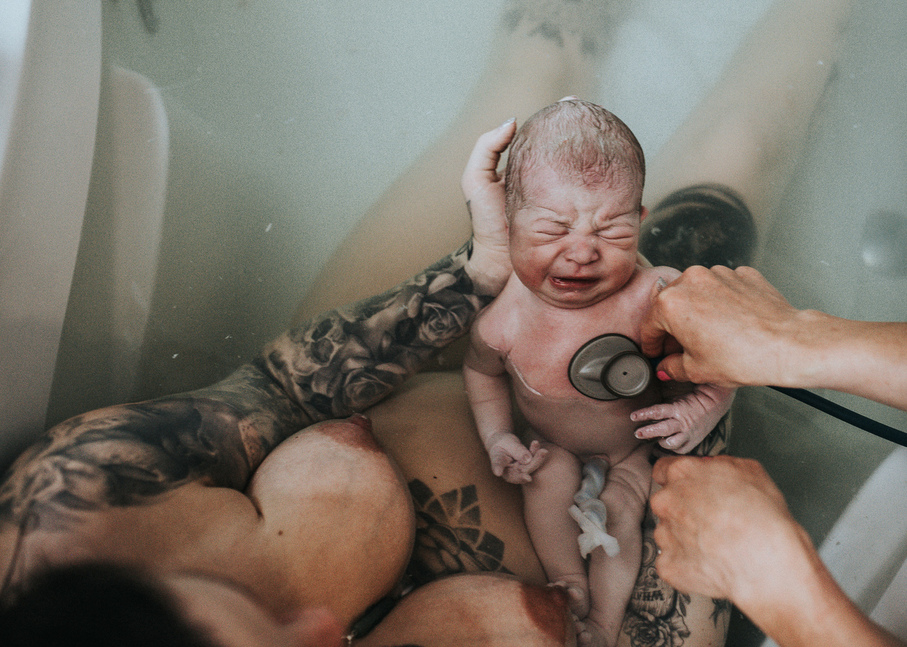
<point x="611" y="579"/>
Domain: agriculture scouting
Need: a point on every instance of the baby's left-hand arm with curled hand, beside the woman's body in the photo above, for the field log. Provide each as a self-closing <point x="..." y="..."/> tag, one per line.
<point x="489" y="397"/>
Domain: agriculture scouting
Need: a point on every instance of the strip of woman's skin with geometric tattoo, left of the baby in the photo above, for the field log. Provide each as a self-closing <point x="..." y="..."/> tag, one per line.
<point x="468" y="520"/>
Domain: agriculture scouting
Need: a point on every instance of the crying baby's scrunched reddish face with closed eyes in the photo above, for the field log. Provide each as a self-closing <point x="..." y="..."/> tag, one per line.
<point x="574" y="245"/>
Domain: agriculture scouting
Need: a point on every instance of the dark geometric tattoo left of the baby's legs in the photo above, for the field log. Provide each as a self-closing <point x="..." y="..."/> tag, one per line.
<point x="449" y="535"/>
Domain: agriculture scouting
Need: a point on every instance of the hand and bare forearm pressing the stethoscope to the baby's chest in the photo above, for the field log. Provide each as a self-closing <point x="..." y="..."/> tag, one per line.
<point x="735" y="329"/>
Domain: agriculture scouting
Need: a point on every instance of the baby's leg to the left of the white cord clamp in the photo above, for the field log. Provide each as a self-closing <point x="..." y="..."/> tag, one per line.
<point x="554" y="533"/>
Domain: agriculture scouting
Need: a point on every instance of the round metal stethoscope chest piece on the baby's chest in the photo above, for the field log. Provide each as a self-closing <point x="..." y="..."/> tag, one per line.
<point x="609" y="367"/>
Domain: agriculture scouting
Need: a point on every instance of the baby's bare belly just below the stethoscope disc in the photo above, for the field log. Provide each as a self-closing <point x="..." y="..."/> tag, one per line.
<point x="583" y="425"/>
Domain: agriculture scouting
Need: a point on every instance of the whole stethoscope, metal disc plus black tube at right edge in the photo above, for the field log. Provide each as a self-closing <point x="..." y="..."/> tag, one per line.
<point x="612" y="366"/>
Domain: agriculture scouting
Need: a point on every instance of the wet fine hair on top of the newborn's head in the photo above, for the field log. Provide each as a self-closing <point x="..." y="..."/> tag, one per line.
<point x="581" y="140"/>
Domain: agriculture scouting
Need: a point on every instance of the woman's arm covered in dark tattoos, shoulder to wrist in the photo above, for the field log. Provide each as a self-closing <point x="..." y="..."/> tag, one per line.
<point x="333" y="365"/>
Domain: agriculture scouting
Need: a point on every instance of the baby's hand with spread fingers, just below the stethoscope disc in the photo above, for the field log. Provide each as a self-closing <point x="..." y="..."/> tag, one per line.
<point x="683" y="422"/>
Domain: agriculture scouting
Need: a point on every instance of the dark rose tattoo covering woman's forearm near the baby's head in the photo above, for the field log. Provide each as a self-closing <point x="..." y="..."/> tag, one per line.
<point x="351" y="358"/>
